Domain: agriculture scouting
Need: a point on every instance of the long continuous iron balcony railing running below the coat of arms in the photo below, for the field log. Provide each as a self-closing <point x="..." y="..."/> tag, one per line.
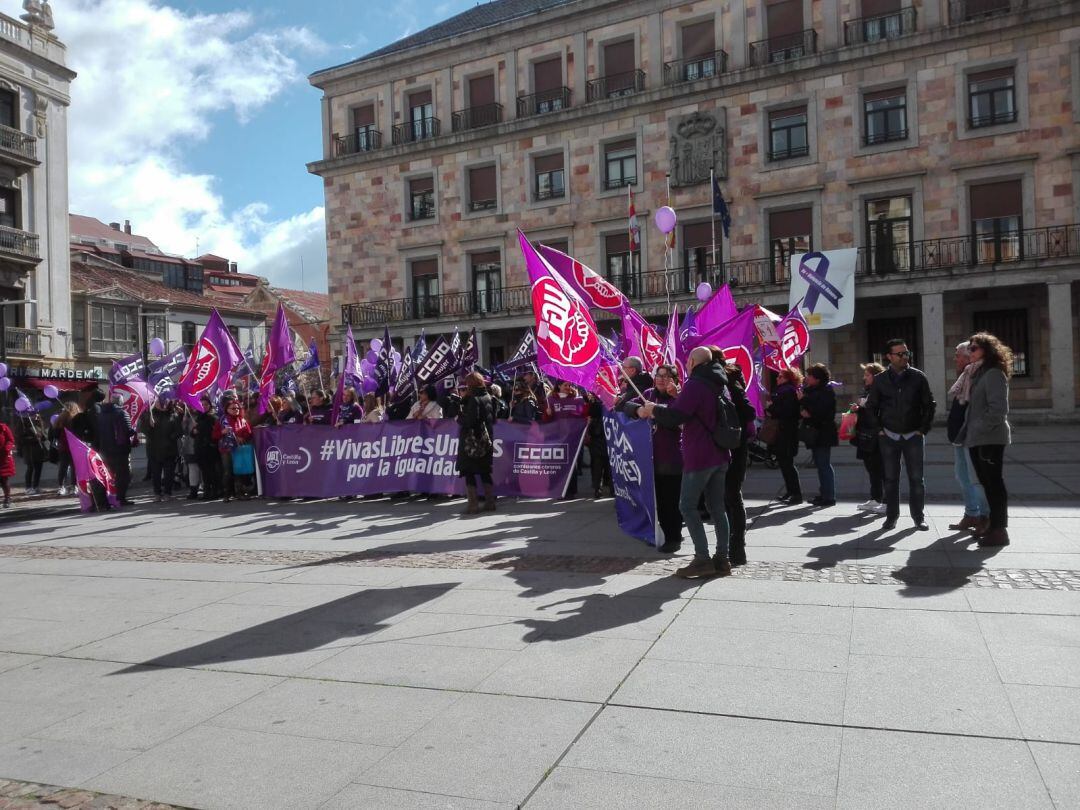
<point x="884" y="260"/>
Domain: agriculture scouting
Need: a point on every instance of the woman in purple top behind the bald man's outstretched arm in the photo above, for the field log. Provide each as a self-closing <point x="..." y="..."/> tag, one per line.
<point x="667" y="460"/>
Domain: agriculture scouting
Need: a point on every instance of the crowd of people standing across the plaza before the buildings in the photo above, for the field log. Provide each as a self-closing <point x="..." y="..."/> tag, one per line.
<point x="697" y="478"/>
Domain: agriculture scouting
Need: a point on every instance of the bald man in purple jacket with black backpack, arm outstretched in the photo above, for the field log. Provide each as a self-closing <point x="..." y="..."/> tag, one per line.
<point x="711" y="430"/>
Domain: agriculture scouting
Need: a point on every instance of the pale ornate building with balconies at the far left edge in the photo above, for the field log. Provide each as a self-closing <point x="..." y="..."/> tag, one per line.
<point x="35" y="289"/>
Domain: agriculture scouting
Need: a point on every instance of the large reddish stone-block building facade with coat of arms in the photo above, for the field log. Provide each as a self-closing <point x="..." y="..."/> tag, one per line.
<point x="941" y="139"/>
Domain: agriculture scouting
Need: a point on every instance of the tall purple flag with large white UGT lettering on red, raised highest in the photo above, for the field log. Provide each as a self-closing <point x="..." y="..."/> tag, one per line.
<point x="569" y="347"/>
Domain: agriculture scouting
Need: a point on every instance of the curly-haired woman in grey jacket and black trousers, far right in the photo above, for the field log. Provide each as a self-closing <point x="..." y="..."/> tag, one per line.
<point x="987" y="430"/>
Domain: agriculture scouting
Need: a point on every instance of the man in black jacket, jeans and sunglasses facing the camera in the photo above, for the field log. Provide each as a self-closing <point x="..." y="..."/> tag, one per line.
<point x="901" y="402"/>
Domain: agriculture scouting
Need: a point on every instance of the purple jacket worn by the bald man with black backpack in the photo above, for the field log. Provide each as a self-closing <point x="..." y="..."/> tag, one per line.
<point x="695" y="409"/>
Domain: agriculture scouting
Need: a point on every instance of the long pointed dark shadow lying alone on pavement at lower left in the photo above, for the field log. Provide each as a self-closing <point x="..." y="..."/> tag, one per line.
<point x="350" y="617"/>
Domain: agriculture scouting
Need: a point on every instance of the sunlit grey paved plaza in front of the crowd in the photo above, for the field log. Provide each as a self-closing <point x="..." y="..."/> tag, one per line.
<point x="380" y="654"/>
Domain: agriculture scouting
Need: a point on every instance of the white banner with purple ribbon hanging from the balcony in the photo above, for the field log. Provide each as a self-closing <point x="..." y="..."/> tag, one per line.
<point x="823" y="288"/>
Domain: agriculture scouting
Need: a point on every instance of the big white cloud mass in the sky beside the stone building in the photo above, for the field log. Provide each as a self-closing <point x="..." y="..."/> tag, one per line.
<point x="151" y="80"/>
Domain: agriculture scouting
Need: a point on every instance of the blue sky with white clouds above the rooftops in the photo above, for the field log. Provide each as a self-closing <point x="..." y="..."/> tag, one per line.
<point x="196" y="120"/>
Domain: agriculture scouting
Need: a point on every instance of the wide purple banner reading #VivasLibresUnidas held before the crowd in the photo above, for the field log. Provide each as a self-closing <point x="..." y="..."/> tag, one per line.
<point x="420" y="456"/>
